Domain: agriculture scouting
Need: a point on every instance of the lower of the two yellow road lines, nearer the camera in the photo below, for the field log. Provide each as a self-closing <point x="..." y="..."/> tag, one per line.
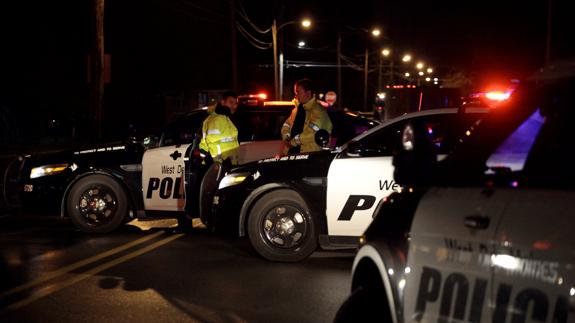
<point x="90" y="273"/>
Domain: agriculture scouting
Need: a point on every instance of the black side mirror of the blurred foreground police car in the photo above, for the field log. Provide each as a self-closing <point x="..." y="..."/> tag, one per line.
<point x="416" y="158"/>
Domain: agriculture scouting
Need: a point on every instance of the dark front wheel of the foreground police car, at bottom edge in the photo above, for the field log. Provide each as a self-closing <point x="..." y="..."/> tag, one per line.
<point x="364" y="305"/>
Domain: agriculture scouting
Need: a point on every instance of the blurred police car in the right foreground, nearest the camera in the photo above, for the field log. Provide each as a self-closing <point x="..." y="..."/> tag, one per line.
<point x="492" y="239"/>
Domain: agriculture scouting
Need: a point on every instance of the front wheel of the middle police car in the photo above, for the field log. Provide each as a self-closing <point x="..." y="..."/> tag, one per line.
<point x="281" y="228"/>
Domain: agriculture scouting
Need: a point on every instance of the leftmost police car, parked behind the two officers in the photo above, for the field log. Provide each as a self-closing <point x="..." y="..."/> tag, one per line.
<point x="103" y="186"/>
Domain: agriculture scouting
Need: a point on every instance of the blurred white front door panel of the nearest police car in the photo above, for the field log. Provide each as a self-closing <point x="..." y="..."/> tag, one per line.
<point x="449" y="255"/>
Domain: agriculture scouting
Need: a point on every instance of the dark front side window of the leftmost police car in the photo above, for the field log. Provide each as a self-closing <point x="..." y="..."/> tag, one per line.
<point x="183" y="130"/>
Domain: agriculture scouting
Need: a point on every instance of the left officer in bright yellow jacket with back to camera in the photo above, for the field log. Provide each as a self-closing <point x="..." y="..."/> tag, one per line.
<point x="219" y="134"/>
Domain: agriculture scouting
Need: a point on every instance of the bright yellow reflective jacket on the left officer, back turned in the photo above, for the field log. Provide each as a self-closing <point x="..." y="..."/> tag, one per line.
<point x="220" y="138"/>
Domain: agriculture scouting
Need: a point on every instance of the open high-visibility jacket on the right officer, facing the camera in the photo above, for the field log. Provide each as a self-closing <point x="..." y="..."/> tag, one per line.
<point x="316" y="118"/>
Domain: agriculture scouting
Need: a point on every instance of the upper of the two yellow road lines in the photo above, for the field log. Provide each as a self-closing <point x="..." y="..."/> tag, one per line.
<point x="79" y="264"/>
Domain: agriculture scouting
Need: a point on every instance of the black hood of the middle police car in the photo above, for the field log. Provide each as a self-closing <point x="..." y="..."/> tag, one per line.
<point x="290" y="168"/>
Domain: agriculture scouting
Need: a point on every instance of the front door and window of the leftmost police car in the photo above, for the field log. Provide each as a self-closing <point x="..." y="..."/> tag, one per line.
<point x="163" y="168"/>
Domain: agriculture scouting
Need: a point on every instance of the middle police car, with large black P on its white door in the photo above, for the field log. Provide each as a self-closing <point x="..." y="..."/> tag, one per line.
<point x="286" y="205"/>
